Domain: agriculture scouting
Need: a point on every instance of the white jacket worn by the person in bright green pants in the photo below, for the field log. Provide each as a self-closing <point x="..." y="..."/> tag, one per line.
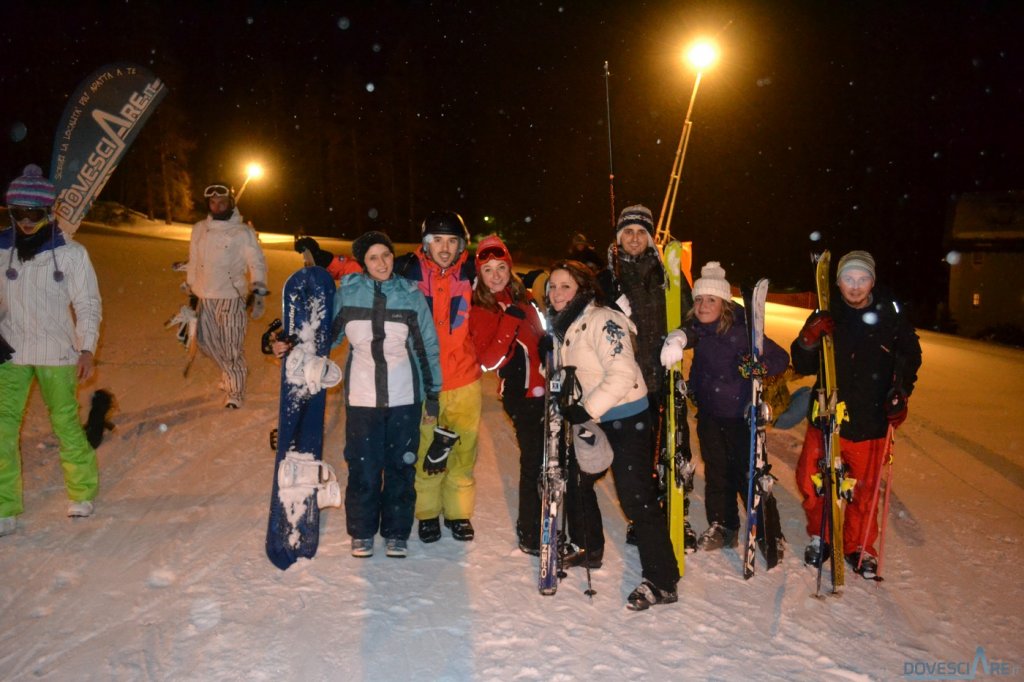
<point x="36" y="310"/>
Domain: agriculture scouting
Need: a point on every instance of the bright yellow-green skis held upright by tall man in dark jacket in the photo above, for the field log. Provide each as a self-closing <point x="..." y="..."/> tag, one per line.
<point x="677" y="457"/>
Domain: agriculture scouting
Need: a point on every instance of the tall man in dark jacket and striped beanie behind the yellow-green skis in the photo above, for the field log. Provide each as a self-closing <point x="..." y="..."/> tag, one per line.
<point x="634" y="282"/>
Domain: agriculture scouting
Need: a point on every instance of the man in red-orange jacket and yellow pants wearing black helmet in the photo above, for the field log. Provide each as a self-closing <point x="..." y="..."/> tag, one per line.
<point x="445" y="273"/>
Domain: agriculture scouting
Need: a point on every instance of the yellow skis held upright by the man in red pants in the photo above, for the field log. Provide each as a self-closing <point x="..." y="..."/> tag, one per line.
<point x="829" y="415"/>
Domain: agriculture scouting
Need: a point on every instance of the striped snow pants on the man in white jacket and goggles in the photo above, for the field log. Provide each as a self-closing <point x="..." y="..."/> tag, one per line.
<point x="222" y="335"/>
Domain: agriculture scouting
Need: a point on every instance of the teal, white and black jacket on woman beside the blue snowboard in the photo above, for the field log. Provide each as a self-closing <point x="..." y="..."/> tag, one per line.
<point x="394" y="357"/>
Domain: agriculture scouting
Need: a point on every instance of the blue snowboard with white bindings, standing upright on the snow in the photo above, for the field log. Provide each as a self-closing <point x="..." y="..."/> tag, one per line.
<point x="293" y="532"/>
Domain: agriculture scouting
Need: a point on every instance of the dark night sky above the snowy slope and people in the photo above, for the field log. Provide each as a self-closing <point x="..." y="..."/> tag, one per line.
<point x="833" y="124"/>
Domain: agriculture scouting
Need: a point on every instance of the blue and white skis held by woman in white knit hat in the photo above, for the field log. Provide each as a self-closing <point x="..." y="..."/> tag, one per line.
<point x="762" y="510"/>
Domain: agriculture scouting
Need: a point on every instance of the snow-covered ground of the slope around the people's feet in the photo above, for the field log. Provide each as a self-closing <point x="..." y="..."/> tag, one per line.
<point x="169" y="579"/>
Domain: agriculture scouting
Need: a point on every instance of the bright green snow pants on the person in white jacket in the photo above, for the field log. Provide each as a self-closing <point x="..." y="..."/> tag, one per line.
<point x="58" y="386"/>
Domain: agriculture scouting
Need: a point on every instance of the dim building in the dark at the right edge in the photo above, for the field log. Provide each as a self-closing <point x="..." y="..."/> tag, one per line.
<point x="986" y="236"/>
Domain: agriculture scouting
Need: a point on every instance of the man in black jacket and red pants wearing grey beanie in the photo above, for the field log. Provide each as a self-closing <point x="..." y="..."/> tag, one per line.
<point x="878" y="356"/>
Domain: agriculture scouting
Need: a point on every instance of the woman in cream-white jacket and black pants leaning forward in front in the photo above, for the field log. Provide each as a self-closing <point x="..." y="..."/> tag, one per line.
<point x="596" y="342"/>
